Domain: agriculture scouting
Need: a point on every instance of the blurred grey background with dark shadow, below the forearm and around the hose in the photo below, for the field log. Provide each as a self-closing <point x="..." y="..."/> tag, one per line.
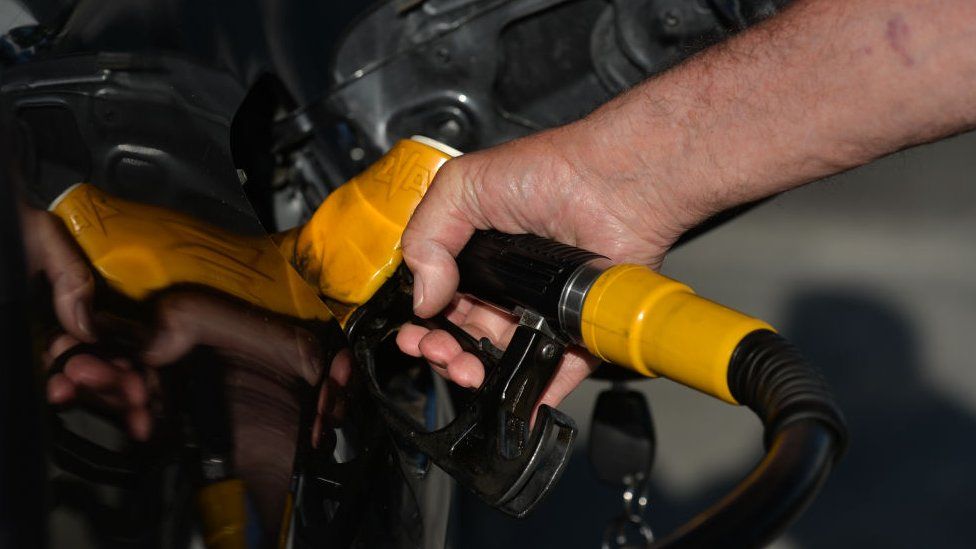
<point x="873" y="274"/>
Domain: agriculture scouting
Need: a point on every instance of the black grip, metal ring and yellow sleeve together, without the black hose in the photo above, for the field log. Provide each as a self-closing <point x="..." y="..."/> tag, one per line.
<point x="625" y="314"/>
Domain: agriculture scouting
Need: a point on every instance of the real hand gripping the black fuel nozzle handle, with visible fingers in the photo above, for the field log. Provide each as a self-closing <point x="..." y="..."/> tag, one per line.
<point x="564" y="184"/>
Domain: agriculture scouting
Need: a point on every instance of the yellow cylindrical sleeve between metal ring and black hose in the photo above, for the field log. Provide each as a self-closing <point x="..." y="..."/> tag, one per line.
<point x="637" y="318"/>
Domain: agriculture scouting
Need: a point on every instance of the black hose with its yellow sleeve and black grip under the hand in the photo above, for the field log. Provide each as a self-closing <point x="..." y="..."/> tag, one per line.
<point x="639" y="319"/>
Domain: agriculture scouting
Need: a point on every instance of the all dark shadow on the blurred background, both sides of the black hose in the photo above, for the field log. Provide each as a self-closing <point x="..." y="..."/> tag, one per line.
<point x="908" y="479"/>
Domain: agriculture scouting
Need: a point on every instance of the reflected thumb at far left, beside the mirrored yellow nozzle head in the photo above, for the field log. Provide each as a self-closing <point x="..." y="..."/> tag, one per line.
<point x="50" y="249"/>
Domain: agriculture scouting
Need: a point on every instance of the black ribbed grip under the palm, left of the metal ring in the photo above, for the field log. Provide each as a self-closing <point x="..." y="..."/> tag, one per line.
<point x="512" y="271"/>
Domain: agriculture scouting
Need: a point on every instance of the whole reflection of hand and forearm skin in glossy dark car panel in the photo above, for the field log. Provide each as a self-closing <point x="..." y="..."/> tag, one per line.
<point x="266" y="359"/>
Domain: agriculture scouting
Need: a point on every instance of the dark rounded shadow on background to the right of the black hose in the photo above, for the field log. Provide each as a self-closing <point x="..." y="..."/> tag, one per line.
<point x="908" y="479"/>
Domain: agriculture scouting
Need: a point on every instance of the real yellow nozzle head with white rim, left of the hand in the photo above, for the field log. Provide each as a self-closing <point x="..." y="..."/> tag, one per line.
<point x="351" y="246"/>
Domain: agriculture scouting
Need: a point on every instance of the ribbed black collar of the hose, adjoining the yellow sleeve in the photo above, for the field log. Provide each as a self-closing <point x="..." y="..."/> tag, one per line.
<point x="769" y="375"/>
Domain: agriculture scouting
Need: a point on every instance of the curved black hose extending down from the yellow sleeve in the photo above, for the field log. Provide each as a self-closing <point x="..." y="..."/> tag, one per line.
<point x="805" y="434"/>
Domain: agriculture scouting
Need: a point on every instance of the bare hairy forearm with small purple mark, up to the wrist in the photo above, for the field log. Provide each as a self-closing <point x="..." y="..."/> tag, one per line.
<point x="823" y="87"/>
